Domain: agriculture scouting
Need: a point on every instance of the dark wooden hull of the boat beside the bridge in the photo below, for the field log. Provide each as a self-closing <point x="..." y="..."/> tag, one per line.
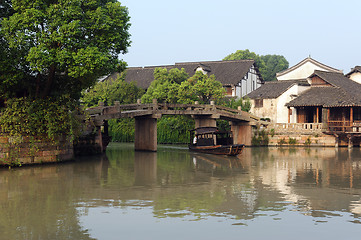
<point x="230" y="150"/>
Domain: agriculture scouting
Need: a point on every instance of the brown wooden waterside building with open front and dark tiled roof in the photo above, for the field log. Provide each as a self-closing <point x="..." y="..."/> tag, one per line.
<point x="333" y="99"/>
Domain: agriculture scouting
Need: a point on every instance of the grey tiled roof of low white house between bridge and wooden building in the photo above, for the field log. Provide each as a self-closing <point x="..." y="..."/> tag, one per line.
<point x="274" y="89"/>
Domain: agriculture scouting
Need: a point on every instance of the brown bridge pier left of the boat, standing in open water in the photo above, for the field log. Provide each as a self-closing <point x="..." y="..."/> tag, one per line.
<point x="145" y="138"/>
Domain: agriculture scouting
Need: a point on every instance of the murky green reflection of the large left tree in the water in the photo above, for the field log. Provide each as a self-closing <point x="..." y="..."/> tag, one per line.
<point x="38" y="204"/>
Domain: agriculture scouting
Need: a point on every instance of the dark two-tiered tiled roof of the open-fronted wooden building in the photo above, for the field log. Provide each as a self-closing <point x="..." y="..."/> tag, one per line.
<point x="343" y="92"/>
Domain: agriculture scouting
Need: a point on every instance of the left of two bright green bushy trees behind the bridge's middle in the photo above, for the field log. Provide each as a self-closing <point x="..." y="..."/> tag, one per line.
<point x="165" y="86"/>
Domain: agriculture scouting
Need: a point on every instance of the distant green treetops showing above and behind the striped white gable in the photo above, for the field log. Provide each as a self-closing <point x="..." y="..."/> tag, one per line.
<point x="268" y="65"/>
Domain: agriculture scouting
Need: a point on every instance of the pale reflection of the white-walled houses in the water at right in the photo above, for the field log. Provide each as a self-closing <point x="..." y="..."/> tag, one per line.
<point x="315" y="179"/>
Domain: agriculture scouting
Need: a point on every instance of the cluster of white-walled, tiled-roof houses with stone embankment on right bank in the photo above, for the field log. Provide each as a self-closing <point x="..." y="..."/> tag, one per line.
<point x="322" y="109"/>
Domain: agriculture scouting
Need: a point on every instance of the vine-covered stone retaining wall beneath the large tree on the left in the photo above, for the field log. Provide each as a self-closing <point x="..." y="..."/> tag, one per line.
<point x="24" y="150"/>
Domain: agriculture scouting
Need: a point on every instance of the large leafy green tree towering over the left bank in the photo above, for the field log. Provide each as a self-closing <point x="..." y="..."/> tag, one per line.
<point x="60" y="46"/>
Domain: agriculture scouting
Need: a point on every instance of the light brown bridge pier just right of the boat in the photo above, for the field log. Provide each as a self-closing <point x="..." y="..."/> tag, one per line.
<point x="242" y="133"/>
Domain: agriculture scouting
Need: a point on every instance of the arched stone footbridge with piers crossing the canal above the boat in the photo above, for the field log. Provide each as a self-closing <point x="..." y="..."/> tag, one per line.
<point x="146" y="116"/>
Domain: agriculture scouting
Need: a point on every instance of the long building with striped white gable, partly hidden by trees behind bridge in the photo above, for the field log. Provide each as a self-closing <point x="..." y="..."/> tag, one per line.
<point x="238" y="77"/>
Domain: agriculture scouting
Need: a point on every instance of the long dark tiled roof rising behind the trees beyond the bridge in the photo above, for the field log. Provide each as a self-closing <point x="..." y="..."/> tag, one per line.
<point x="226" y="72"/>
